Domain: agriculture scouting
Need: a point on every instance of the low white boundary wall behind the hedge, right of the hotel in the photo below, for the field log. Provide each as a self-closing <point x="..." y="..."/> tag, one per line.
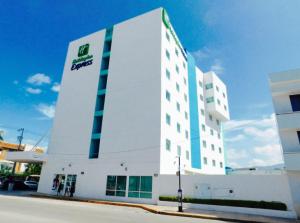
<point x="244" y="187"/>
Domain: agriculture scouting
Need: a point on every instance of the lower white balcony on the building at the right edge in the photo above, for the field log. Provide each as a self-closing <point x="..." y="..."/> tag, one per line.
<point x="289" y="120"/>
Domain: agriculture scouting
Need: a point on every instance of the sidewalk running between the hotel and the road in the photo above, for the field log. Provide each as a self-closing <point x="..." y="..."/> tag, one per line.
<point x="166" y="210"/>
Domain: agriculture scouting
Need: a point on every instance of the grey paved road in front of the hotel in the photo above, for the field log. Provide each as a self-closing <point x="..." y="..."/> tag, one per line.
<point x="36" y="210"/>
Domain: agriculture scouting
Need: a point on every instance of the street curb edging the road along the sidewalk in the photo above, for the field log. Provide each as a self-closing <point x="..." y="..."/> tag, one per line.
<point x="152" y="210"/>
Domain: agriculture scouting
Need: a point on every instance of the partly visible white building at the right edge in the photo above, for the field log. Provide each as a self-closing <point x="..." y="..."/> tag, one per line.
<point x="285" y="89"/>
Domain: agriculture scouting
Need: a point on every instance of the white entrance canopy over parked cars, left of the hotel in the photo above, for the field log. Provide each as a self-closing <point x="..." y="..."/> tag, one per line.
<point x="26" y="157"/>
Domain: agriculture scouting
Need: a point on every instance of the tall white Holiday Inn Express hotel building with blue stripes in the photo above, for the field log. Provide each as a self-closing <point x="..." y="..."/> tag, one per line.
<point x="131" y="101"/>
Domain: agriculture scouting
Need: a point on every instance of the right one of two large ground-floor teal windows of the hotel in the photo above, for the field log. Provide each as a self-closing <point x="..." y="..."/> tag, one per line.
<point x="140" y="186"/>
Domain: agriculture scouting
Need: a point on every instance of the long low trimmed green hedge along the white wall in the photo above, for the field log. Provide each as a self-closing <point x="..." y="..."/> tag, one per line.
<point x="224" y="202"/>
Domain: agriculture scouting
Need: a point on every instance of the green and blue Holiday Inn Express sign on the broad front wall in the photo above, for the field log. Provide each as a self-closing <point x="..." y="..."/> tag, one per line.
<point x="84" y="59"/>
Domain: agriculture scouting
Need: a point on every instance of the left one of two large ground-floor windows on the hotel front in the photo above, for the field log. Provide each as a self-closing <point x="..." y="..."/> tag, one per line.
<point x="116" y="186"/>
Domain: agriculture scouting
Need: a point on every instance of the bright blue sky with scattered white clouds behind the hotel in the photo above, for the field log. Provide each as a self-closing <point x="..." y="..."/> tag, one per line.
<point x="242" y="41"/>
